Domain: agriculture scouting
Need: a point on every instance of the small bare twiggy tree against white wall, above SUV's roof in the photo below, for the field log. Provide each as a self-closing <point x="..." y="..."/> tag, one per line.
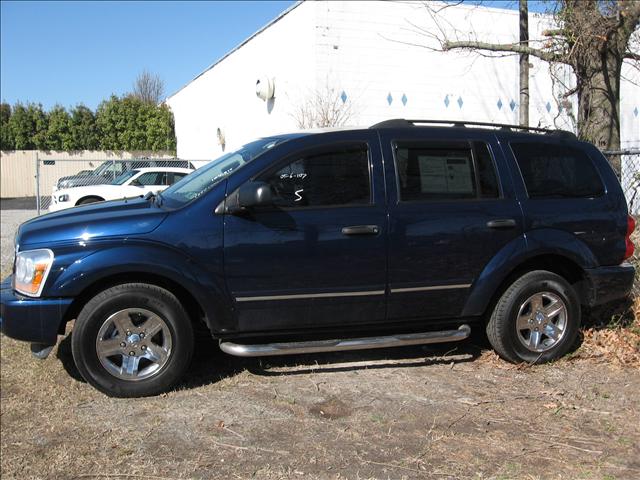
<point x="324" y="107"/>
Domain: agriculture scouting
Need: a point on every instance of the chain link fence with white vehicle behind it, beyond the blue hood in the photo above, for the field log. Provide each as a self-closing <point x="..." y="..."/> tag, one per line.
<point x="62" y="183"/>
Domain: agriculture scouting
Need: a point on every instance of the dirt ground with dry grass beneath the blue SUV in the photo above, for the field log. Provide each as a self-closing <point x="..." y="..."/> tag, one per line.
<point x="448" y="412"/>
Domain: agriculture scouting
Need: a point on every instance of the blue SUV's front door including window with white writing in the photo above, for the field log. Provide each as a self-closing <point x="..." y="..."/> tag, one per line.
<point x="318" y="257"/>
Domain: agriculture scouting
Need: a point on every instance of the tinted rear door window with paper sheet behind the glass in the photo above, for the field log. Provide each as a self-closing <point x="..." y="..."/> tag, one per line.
<point x="439" y="172"/>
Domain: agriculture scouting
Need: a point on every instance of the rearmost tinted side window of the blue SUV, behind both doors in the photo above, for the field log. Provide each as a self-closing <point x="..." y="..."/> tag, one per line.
<point x="557" y="171"/>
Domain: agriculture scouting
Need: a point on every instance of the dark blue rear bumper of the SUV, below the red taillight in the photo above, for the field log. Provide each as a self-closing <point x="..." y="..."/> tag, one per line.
<point x="606" y="284"/>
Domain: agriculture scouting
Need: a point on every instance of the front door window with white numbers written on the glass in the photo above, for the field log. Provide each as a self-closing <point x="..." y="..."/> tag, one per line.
<point x="334" y="178"/>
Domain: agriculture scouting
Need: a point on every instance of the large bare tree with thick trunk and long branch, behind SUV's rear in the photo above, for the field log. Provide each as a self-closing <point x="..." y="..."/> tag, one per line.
<point x="593" y="38"/>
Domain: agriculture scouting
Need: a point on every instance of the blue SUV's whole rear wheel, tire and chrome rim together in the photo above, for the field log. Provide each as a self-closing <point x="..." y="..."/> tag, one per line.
<point x="536" y="319"/>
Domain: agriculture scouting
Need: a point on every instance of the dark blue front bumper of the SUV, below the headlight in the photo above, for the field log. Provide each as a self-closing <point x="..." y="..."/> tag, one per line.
<point x="31" y="319"/>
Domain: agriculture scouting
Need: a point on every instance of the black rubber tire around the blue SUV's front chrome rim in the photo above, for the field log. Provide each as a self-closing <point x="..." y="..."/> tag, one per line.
<point x="129" y="297"/>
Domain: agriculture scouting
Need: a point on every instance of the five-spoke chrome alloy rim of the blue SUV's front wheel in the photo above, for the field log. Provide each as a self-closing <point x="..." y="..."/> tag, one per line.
<point x="134" y="344"/>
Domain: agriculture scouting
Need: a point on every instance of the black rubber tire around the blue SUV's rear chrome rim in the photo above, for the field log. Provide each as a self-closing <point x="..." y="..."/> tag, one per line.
<point x="503" y="334"/>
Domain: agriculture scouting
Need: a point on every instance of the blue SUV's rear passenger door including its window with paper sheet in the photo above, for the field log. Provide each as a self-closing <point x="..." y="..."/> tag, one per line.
<point x="452" y="209"/>
